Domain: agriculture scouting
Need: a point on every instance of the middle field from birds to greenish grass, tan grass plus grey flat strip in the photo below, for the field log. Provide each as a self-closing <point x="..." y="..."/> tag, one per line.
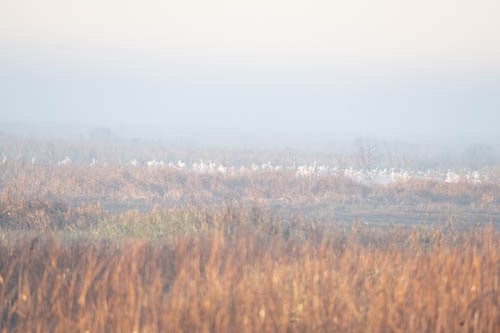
<point x="78" y="197"/>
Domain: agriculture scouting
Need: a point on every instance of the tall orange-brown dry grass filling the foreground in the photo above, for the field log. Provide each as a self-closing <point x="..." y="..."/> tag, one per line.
<point x="254" y="279"/>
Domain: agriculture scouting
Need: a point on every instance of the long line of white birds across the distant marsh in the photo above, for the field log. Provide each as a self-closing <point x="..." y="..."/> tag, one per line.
<point x="365" y="176"/>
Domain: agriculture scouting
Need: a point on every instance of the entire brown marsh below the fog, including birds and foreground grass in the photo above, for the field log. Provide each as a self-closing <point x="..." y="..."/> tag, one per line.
<point x="114" y="238"/>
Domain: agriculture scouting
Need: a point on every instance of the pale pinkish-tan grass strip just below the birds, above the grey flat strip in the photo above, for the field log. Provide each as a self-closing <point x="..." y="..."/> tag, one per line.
<point x="169" y="187"/>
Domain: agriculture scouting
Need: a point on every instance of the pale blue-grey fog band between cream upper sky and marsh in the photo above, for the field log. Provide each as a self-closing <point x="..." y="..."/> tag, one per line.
<point x="210" y="107"/>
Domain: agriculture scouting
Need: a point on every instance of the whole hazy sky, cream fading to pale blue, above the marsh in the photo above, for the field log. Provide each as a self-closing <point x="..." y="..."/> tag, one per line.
<point x="387" y="67"/>
